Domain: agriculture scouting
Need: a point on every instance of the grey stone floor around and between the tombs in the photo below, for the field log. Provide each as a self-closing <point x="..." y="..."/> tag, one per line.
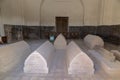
<point x="17" y="74"/>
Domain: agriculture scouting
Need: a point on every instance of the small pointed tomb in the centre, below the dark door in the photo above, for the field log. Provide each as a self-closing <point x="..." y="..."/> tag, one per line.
<point x="60" y="42"/>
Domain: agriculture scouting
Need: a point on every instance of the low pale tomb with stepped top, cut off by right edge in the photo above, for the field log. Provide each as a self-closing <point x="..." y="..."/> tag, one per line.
<point x="107" y="61"/>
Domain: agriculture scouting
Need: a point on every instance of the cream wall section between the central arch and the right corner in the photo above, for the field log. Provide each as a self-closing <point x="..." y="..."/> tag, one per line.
<point x="91" y="14"/>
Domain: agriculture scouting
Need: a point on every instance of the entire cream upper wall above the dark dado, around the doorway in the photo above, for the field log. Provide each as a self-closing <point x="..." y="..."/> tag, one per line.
<point x="43" y="12"/>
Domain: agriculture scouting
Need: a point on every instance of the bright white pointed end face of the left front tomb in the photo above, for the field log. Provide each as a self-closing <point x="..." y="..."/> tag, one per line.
<point x="35" y="63"/>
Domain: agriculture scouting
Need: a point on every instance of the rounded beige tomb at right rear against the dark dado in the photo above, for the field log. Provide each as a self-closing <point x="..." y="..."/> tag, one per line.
<point x="92" y="41"/>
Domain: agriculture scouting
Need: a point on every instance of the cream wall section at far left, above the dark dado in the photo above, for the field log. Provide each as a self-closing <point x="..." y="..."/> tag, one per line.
<point x="12" y="12"/>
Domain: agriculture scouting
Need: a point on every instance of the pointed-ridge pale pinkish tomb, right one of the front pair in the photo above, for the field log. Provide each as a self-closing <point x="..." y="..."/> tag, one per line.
<point x="78" y="61"/>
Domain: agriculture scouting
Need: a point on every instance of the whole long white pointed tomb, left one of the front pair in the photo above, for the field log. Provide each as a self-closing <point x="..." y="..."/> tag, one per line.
<point x="39" y="61"/>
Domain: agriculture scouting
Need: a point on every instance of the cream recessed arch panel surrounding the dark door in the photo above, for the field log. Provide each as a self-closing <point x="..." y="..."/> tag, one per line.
<point x="70" y="8"/>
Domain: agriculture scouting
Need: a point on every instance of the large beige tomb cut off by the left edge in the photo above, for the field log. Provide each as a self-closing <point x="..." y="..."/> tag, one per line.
<point x="12" y="55"/>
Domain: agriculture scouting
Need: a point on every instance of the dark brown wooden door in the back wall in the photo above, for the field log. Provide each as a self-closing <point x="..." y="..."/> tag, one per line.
<point x="62" y="24"/>
